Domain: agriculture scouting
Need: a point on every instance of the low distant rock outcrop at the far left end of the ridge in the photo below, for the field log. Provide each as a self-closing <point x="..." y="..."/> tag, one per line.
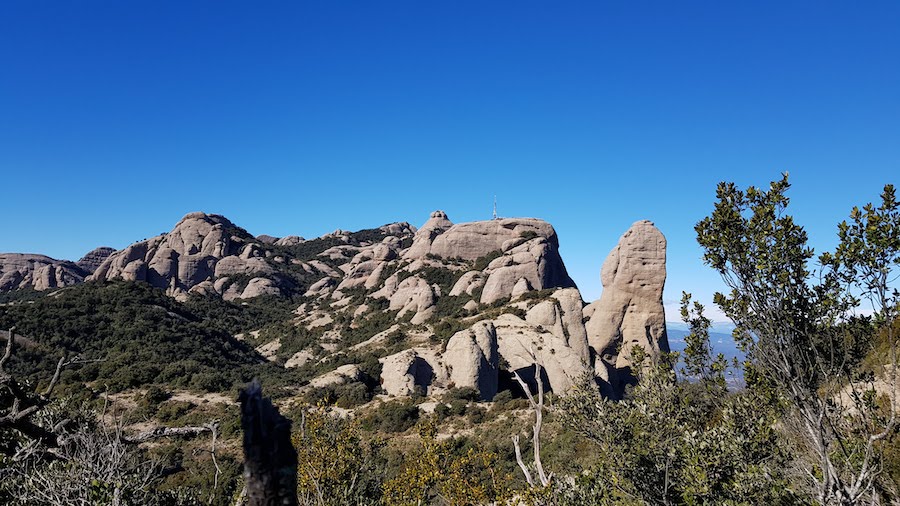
<point x="38" y="272"/>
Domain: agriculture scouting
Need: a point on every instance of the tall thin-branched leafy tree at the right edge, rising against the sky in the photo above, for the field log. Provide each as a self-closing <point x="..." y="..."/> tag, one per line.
<point x="798" y="325"/>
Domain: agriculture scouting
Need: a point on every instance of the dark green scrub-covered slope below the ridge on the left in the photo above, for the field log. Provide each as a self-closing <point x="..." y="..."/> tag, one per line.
<point x="132" y="335"/>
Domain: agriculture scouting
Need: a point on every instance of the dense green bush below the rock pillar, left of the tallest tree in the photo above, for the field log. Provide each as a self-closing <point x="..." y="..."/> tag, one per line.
<point x="675" y="442"/>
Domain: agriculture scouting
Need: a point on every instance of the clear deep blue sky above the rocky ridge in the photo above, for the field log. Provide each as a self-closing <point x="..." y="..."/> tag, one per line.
<point x="116" y="118"/>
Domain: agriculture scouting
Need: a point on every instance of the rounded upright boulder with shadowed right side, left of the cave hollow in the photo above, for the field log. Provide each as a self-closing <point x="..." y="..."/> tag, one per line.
<point x="473" y="360"/>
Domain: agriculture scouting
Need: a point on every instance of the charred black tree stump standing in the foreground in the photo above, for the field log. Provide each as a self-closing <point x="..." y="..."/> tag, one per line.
<point x="270" y="461"/>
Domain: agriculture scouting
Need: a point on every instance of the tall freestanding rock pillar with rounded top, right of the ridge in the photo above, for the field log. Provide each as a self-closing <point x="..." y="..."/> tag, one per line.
<point x="630" y="310"/>
